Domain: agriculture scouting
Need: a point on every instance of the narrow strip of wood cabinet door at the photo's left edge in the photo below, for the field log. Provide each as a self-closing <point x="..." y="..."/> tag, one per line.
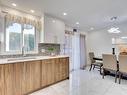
<point x="2" y="80"/>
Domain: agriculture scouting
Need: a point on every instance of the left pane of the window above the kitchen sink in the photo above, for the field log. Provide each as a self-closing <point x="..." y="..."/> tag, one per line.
<point x="13" y="37"/>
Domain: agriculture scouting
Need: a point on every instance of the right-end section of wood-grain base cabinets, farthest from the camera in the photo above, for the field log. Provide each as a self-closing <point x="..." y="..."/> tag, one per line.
<point x="54" y="70"/>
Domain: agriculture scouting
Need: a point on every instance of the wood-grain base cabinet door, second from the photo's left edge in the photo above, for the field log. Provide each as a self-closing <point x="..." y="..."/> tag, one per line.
<point x="14" y="79"/>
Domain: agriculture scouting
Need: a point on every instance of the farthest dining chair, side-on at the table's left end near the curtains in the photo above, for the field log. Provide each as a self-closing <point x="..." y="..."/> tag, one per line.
<point x="94" y="63"/>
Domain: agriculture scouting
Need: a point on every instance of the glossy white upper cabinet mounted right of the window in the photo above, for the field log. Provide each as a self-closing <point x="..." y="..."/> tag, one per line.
<point x="53" y="31"/>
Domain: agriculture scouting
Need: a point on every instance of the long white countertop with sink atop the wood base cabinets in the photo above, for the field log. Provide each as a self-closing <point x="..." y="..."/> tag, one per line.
<point x="30" y="58"/>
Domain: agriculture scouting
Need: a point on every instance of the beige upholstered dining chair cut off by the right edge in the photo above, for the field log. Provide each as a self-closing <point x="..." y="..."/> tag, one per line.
<point x="122" y="66"/>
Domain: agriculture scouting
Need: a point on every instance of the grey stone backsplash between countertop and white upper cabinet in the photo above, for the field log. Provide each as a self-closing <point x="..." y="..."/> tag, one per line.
<point x="44" y="49"/>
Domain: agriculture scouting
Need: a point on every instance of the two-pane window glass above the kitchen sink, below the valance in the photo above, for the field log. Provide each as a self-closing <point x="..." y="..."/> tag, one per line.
<point x="20" y="35"/>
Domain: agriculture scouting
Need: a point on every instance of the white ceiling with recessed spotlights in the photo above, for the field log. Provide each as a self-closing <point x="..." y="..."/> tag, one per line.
<point x="89" y="13"/>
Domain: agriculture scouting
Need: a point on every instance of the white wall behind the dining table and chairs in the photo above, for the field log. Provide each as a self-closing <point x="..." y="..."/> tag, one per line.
<point x="100" y="41"/>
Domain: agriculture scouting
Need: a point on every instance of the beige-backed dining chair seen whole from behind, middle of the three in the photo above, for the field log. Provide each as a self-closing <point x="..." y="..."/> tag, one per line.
<point x="110" y="64"/>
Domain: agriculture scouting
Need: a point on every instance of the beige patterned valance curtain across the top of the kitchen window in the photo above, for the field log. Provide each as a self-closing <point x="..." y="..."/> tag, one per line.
<point x="24" y="20"/>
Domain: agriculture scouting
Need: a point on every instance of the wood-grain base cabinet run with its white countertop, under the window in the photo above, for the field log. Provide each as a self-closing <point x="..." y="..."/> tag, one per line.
<point x="25" y="75"/>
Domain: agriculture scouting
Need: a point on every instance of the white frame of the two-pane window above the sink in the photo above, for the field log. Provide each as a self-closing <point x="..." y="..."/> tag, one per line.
<point x="20" y="51"/>
